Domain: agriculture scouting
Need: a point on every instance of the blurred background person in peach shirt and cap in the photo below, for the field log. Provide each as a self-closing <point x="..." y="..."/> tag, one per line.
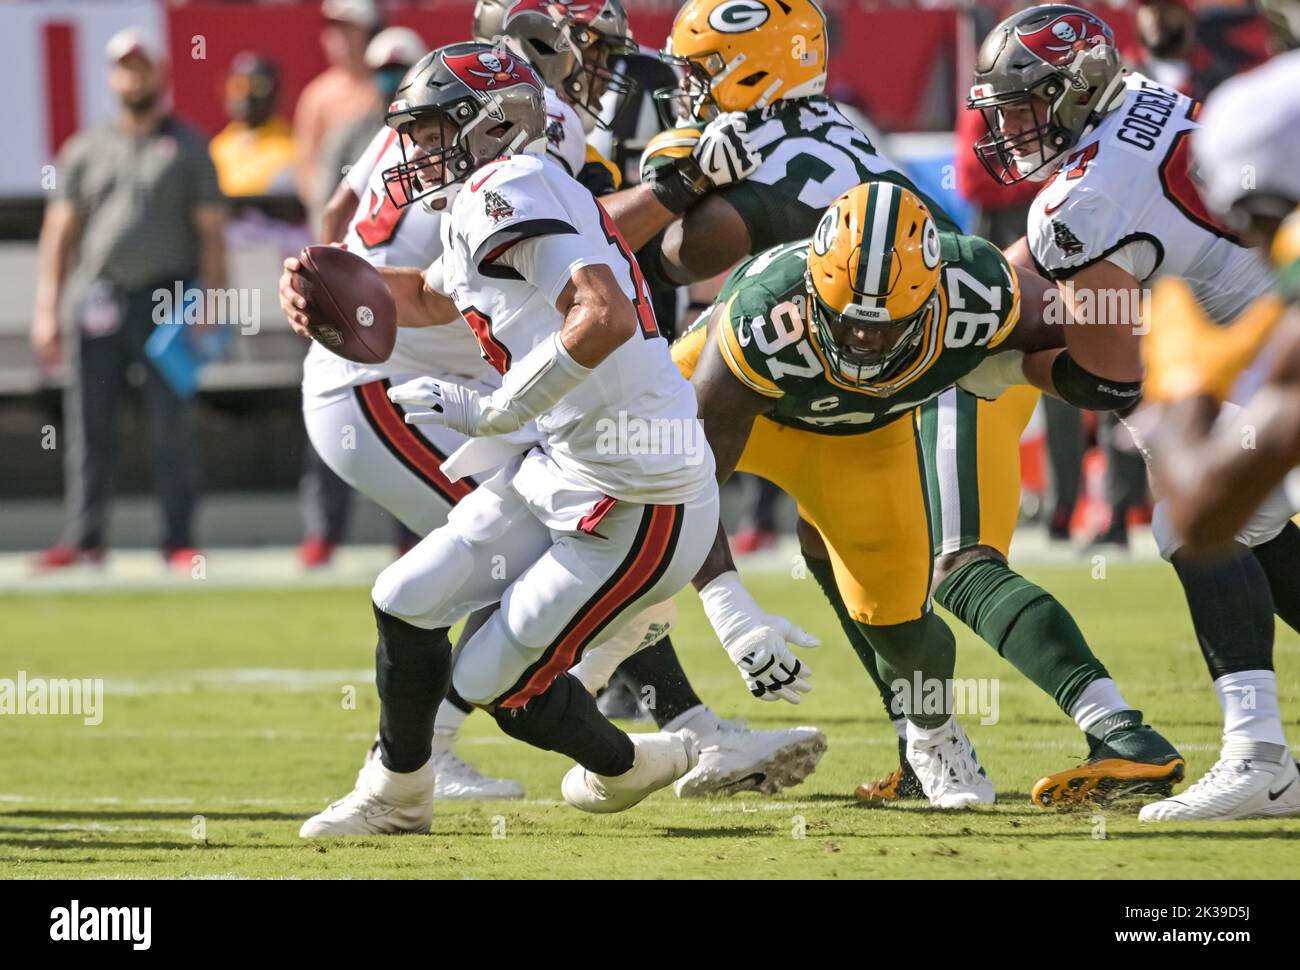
<point x="339" y="96"/>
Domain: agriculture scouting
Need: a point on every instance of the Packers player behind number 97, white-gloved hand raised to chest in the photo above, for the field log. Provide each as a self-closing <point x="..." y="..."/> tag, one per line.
<point x="753" y="114"/>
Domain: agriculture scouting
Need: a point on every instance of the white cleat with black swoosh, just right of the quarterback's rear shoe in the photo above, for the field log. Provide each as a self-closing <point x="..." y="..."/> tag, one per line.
<point x="734" y="759"/>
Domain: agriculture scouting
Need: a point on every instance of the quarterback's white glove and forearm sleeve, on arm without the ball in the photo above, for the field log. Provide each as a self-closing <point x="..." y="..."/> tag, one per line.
<point x="534" y="386"/>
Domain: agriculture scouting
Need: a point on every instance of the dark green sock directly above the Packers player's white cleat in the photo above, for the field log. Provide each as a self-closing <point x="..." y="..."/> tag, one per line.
<point x="918" y="657"/>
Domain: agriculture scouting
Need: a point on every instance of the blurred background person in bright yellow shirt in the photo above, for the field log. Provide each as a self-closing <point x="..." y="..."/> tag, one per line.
<point x="254" y="153"/>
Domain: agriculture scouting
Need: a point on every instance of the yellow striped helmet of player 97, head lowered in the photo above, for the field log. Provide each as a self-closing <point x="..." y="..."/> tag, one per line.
<point x="873" y="282"/>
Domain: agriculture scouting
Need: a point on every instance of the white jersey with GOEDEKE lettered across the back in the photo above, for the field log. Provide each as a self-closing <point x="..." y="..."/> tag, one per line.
<point x="1128" y="192"/>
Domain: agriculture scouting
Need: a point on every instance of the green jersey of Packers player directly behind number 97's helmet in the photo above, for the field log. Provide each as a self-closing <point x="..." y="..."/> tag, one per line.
<point x="812" y="154"/>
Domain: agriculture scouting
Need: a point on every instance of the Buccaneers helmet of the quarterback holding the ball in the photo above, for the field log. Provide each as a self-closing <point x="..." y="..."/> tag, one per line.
<point x="457" y="110"/>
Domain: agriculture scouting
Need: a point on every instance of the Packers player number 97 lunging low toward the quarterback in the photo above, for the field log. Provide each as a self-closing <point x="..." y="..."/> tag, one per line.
<point x="826" y="367"/>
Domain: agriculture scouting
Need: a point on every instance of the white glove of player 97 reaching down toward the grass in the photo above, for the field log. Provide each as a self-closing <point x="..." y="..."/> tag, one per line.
<point x="757" y="642"/>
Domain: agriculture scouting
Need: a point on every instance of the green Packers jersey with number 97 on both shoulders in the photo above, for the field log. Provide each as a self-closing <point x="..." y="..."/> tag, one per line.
<point x="764" y="337"/>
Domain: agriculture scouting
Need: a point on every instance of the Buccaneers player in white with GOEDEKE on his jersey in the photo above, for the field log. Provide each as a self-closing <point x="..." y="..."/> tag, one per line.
<point x="1119" y="210"/>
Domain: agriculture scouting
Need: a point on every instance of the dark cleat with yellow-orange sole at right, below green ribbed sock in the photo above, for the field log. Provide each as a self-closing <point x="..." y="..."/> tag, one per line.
<point x="1125" y="757"/>
